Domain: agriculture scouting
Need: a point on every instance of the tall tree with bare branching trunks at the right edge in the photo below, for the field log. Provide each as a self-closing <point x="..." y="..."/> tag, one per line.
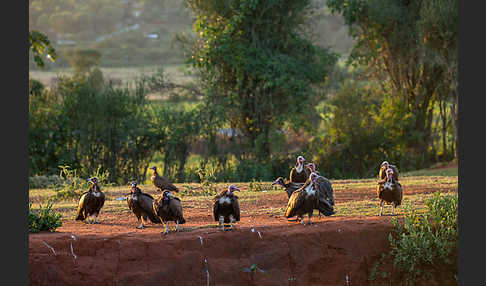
<point x="390" y="40"/>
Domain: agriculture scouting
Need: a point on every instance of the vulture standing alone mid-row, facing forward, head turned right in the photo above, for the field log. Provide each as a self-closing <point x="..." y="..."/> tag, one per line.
<point x="226" y="208"/>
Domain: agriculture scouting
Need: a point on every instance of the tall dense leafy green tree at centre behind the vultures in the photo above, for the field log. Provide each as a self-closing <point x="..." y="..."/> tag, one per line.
<point x="256" y="62"/>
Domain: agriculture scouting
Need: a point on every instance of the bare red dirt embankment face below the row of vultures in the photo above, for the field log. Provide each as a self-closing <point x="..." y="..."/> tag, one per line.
<point x="324" y="253"/>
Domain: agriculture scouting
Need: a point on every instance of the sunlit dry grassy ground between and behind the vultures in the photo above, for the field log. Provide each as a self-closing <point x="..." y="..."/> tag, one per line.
<point x="352" y="197"/>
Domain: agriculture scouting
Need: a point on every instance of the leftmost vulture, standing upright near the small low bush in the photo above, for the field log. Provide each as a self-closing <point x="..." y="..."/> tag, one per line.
<point x="91" y="202"/>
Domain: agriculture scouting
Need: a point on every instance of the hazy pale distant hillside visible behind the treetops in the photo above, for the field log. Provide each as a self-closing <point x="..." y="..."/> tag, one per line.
<point x="142" y="32"/>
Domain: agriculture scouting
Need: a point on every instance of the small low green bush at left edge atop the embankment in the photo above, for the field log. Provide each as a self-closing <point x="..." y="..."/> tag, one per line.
<point x="44" y="219"/>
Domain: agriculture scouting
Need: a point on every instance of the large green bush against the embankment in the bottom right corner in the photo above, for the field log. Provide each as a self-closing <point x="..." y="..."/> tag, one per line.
<point x="425" y="245"/>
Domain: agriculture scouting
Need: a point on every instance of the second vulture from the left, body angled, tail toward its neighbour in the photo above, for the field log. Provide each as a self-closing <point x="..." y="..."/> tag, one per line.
<point x="141" y="204"/>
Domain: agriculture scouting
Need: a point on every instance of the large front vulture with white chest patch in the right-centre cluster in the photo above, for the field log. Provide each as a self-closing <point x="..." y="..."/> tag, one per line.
<point x="304" y="200"/>
